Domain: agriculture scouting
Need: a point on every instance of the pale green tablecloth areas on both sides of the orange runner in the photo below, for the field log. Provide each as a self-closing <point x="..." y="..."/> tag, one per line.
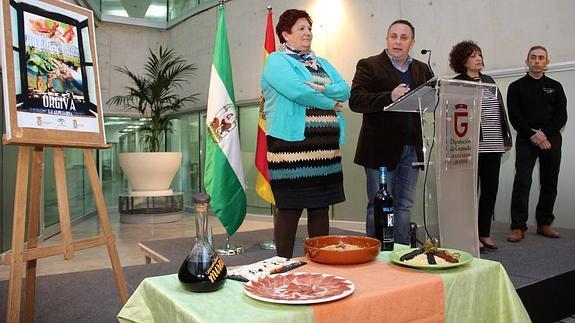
<point x="477" y="292"/>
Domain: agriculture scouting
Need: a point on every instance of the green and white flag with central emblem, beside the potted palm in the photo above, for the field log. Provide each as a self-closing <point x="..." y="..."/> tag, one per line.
<point x="224" y="173"/>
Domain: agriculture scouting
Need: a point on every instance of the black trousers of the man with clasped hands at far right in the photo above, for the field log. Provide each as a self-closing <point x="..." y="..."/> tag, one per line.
<point x="549" y="164"/>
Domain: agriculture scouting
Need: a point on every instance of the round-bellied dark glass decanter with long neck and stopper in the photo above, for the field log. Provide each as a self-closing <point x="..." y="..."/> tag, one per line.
<point x="203" y="270"/>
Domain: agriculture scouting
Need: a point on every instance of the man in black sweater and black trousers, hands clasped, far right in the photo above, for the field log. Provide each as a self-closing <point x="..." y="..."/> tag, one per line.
<point x="537" y="110"/>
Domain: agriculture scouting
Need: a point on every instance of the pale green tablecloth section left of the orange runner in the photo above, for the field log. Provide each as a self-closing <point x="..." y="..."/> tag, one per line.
<point x="161" y="299"/>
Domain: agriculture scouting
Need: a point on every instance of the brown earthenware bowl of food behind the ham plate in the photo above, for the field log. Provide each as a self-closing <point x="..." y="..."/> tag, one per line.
<point x="341" y="250"/>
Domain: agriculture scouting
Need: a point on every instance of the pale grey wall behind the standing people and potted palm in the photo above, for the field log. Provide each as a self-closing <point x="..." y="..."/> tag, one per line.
<point x="346" y="30"/>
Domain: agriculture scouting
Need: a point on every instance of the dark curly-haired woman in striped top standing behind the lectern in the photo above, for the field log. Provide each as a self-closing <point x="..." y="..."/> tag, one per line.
<point x="466" y="58"/>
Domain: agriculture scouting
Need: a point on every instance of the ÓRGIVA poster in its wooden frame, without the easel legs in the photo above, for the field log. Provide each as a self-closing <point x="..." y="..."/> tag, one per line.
<point x="50" y="75"/>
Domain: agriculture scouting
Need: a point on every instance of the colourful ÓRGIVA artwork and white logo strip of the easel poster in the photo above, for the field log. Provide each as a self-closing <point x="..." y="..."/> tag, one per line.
<point x="54" y="89"/>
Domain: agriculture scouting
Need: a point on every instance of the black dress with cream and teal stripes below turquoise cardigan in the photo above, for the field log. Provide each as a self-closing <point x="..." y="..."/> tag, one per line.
<point x="307" y="173"/>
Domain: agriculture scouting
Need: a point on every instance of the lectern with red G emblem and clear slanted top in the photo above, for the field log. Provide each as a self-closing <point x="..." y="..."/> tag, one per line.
<point x="450" y="112"/>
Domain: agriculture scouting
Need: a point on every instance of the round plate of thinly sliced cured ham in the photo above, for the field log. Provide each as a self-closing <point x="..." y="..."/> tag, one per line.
<point x="299" y="288"/>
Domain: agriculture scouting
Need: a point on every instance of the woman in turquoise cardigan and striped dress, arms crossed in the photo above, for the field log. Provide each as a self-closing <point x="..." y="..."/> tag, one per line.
<point x="303" y="96"/>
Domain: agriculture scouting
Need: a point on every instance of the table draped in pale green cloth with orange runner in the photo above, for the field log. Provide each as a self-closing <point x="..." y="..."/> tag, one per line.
<point x="477" y="292"/>
